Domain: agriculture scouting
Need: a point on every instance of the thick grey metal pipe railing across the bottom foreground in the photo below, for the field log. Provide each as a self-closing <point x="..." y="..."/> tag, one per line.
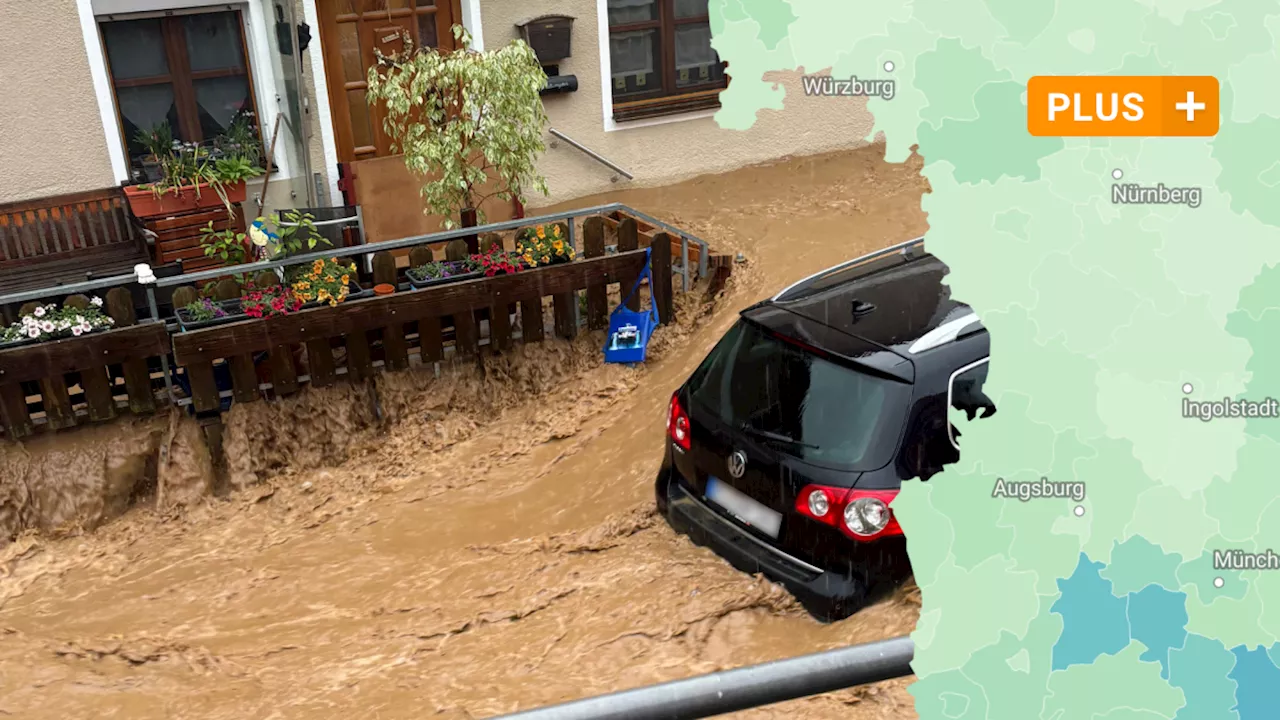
<point x="743" y="689"/>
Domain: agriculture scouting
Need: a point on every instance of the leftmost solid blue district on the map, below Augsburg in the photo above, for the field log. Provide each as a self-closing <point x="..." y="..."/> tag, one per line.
<point x="1095" y="622"/>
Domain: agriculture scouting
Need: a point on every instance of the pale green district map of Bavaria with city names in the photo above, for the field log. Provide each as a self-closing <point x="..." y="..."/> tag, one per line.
<point x="1107" y="320"/>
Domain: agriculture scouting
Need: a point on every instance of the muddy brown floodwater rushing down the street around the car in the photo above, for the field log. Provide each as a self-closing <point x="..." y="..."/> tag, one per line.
<point x="492" y="549"/>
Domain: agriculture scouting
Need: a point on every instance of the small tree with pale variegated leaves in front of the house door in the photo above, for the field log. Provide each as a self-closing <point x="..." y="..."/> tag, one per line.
<point x="467" y="124"/>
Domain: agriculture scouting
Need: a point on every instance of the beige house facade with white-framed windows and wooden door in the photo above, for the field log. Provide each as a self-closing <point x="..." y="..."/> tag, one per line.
<point x="648" y="85"/>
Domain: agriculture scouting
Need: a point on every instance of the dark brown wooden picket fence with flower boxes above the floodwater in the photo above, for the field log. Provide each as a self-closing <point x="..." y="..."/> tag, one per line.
<point x="97" y="376"/>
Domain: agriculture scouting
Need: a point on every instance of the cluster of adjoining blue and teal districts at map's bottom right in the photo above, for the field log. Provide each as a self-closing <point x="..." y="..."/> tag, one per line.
<point x="1096" y="622"/>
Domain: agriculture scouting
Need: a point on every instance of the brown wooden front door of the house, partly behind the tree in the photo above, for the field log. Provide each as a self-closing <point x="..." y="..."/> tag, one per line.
<point x="351" y="31"/>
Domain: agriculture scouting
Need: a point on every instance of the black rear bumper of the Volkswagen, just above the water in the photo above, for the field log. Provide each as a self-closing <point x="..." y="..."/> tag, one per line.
<point x="824" y="593"/>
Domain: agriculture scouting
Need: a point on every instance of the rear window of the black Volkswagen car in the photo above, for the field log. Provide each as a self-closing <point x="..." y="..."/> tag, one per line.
<point x="838" y="416"/>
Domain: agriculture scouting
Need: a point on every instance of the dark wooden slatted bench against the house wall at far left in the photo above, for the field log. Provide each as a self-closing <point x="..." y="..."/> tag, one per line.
<point x="68" y="239"/>
